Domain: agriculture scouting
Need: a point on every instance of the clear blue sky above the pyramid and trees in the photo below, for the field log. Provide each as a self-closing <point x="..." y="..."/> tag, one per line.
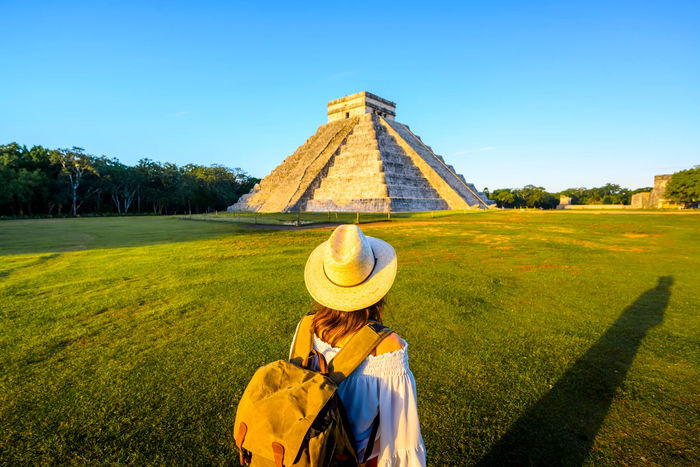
<point x="558" y="94"/>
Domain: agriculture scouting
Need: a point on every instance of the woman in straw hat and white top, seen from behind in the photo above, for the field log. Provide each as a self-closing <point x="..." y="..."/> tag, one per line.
<point x="348" y="277"/>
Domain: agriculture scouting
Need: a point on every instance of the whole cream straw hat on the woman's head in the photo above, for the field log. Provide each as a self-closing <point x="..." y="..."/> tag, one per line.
<point x="350" y="271"/>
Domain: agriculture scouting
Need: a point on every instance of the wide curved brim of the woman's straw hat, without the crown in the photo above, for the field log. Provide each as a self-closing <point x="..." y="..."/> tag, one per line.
<point x="356" y="297"/>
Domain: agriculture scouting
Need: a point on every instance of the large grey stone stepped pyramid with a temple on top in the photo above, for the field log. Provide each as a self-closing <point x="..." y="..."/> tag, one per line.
<point x="362" y="160"/>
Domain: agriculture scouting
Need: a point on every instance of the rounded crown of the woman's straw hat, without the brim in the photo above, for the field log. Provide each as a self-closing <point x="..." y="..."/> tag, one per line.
<point x="349" y="258"/>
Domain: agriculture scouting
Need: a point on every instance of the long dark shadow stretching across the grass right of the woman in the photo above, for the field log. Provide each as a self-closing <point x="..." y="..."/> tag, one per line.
<point x="561" y="427"/>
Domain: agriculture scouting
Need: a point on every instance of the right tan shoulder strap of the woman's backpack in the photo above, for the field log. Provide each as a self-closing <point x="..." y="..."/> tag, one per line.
<point x="356" y="350"/>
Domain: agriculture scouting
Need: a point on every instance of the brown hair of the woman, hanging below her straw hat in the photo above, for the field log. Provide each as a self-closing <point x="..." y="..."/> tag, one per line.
<point x="333" y="325"/>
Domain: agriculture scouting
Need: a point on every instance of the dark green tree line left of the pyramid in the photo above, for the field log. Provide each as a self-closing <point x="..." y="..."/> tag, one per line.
<point x="42" y="181"/>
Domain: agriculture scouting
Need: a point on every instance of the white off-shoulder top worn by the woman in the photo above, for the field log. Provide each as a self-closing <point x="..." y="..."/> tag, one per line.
<point x="383" y="384"/>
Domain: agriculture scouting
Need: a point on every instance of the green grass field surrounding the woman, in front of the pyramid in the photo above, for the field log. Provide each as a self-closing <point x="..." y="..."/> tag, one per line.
<point x="535" y="337"/>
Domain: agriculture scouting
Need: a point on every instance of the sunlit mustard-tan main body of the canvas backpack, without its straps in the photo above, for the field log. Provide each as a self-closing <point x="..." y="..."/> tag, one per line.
<point x="277" y="409"/>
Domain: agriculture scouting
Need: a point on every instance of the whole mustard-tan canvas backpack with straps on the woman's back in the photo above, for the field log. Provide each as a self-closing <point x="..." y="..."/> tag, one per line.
<point x="290" y="415"/>
